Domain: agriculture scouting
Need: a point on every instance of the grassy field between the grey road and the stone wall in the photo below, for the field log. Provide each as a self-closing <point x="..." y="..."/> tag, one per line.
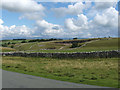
<point x="99" y="71"/>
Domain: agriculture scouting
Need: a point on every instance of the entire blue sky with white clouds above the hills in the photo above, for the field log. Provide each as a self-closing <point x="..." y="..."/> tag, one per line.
<point x="30" y="19"/>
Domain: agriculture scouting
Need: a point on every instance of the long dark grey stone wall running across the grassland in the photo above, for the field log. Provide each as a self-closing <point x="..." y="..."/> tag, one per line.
<point x="100" y="54"/>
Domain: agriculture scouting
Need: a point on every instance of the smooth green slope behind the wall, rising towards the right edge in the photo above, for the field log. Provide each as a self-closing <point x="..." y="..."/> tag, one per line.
<point x="101" y="45"/>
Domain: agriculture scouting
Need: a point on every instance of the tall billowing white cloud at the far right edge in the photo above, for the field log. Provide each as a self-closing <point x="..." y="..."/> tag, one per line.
<point x="105" y="24"/>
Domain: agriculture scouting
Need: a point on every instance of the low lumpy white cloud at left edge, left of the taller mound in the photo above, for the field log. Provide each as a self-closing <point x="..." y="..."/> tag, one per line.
<point x="15" y="31"/>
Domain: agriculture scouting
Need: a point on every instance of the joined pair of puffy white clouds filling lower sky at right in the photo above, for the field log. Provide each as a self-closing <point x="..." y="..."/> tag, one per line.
<point x="103" y="24"/>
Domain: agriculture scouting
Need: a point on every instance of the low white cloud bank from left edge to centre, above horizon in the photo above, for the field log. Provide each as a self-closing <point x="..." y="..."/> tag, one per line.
<point x="42" y="29"/>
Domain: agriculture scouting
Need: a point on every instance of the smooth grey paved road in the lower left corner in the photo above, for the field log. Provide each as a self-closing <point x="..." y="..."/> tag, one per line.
<point x="17" y="80"/>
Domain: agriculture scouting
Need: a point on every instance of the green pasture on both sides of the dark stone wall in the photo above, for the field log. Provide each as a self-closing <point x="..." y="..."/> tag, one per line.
<point x="91" y="71"/>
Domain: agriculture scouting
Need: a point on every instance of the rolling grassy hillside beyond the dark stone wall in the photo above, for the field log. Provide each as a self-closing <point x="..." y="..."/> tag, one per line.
<point x="100" y="44"/>
